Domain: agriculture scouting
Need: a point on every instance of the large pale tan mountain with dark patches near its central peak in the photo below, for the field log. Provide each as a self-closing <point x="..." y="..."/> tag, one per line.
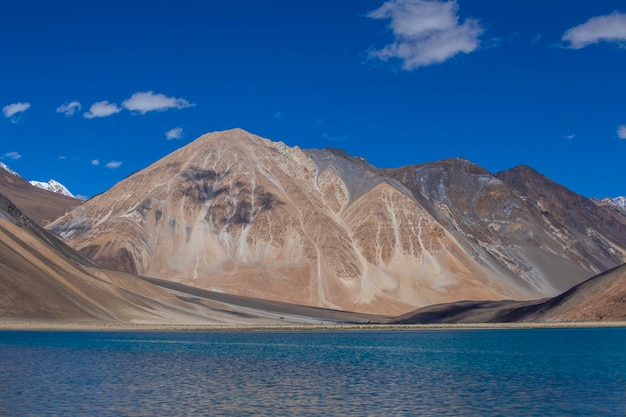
<point x="240" y="214"/>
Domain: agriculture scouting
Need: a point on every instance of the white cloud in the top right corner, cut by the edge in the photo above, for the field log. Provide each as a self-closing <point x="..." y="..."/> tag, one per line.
<point x="607" y="28"/>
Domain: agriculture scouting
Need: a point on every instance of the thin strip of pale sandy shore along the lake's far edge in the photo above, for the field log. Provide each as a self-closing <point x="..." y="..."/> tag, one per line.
<point x="9" y="324"/>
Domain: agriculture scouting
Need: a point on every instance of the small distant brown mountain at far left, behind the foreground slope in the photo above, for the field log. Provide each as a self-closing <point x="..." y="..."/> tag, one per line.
<point x="40" y="205"/>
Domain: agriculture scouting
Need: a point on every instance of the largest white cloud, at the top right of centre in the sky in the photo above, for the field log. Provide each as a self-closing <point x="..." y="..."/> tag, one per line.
<point x="425" y="32"/>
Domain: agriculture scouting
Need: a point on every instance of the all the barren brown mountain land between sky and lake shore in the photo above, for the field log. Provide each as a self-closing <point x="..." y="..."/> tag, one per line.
<point x="237" y="229"/>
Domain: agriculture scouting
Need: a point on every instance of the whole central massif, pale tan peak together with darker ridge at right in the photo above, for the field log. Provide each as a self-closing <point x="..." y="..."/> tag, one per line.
<point x="238" y="214"/>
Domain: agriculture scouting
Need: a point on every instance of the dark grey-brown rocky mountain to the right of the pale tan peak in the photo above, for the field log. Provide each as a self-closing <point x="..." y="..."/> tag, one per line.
<point x="509" y="230"/>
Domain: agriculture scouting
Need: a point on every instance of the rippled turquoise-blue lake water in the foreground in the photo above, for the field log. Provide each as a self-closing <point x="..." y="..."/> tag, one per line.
<point x="535" y="372"/>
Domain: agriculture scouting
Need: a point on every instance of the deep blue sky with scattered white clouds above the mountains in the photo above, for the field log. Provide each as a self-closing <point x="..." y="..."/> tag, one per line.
<point x="93" y="91"/>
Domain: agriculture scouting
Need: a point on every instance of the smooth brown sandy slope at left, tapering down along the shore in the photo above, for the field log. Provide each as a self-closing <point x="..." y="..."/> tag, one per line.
<point x="43" y="279"/>
